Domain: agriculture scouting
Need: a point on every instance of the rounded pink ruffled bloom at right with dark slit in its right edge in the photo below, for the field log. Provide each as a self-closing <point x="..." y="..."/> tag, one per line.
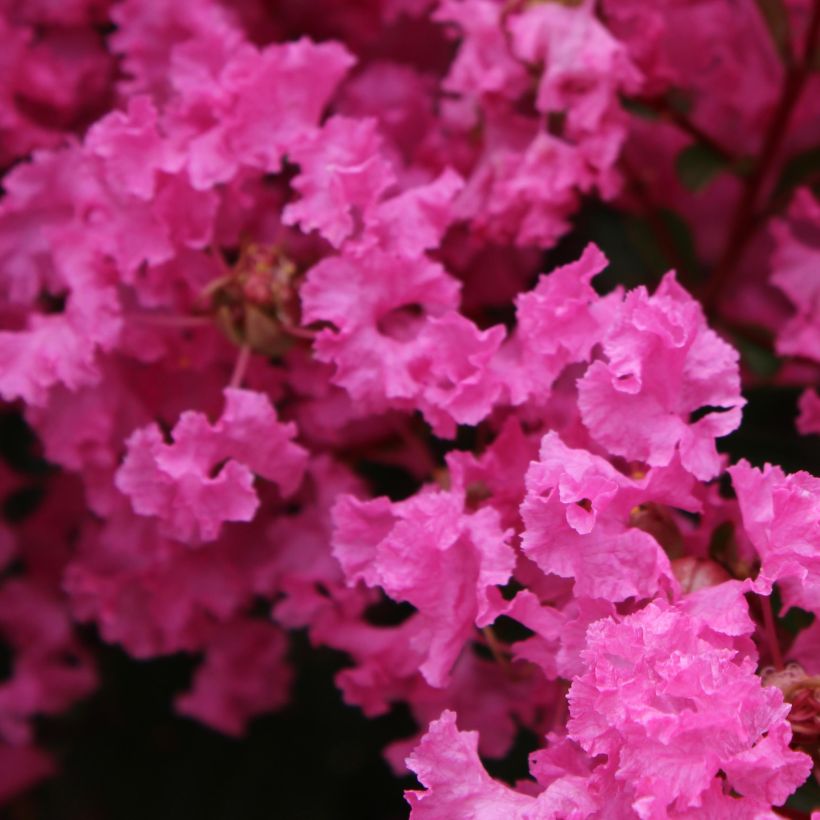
<point x="670" y="384"/>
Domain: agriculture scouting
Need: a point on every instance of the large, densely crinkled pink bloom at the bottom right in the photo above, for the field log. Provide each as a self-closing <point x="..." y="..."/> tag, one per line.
<point x="671" y="705"/>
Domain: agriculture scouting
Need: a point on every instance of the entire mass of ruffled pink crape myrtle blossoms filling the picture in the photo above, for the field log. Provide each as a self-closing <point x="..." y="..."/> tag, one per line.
<point x="244" y="253"/>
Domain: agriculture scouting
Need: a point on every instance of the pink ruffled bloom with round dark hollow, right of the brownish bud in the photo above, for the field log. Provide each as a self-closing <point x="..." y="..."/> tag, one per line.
<point x="397" y="343"/>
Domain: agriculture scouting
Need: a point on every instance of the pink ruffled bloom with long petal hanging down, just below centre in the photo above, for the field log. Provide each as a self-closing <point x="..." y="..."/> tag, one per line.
<point x="429" y="552"/>
